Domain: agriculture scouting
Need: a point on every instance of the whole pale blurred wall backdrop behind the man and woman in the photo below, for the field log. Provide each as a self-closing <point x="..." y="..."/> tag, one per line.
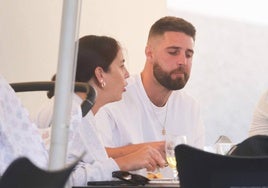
<point x="229" y="68"/>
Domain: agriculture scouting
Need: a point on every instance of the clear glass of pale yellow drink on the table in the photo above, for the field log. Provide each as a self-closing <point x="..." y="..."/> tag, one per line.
<point x="171" y="142"/>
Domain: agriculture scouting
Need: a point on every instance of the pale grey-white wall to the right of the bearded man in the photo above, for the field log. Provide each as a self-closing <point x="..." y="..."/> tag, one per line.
<point x="229" y="71"/>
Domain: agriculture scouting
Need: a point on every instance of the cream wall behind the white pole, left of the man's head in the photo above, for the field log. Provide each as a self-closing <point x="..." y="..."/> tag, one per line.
<point x="29" y="35"/>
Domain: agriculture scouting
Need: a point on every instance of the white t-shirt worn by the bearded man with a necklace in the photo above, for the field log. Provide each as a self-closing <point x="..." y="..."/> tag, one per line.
<point x="134" y="119"/>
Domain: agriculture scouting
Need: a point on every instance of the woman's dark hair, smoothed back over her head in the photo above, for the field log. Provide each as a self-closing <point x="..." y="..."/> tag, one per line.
<point x="94" y="51"/>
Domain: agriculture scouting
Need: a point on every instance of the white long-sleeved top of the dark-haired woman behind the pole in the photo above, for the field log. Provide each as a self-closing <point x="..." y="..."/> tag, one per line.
<point x="83" y="138"/>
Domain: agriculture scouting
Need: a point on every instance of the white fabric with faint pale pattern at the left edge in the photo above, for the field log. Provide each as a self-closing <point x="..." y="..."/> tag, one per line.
<point x="18" y="135"/>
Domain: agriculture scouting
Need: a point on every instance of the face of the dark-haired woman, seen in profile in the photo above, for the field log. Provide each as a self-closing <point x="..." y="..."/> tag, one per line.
<point x="116" y="78"/>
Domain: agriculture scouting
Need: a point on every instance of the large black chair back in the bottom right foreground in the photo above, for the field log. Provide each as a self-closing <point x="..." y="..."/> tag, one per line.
<point x="198" y="168"/>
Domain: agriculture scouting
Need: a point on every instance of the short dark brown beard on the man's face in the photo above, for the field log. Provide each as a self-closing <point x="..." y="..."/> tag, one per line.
<point x="165" y="79"/>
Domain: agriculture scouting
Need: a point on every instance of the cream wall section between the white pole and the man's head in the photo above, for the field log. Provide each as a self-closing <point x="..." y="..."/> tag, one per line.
<point x="127" y="20"/>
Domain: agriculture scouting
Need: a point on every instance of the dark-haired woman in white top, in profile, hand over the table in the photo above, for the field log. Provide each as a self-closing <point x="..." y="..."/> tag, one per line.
<point x="100" y="63"/>
